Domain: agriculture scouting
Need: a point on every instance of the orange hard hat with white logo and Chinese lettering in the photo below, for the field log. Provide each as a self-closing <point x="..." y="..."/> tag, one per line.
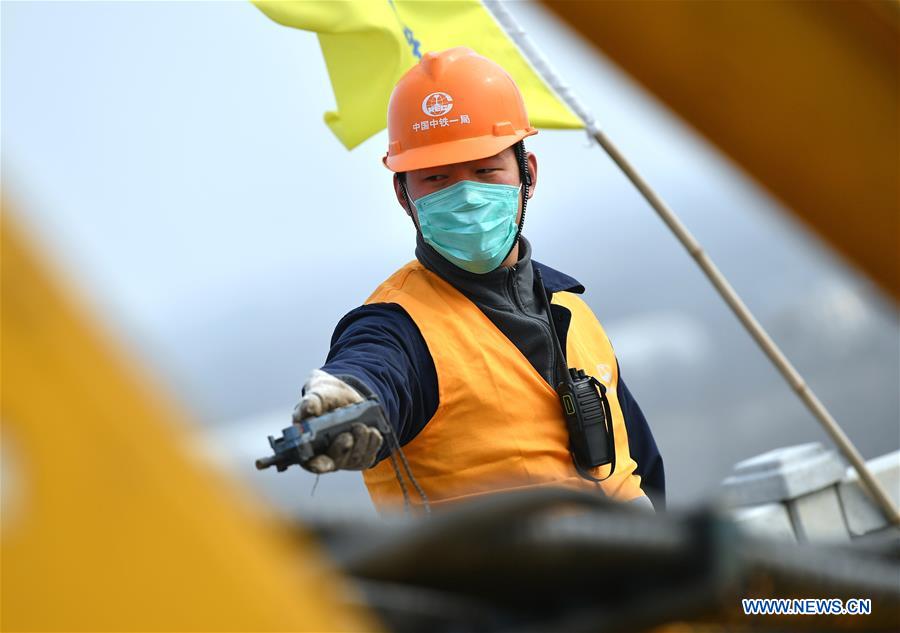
<point x="453" y="106"/>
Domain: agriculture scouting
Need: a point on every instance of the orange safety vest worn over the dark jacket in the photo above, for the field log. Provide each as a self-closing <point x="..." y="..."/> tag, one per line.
<point x="499" y="425"/>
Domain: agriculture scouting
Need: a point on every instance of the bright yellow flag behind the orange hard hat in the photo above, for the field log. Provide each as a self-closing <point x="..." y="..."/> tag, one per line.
<point x="369" y="44"/>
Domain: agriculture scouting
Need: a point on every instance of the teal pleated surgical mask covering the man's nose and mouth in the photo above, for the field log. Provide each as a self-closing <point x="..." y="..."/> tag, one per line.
<point x="471" y="224"/>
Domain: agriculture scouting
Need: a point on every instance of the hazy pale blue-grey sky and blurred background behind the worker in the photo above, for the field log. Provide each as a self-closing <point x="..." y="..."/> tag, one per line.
<point x="172" y="159"/>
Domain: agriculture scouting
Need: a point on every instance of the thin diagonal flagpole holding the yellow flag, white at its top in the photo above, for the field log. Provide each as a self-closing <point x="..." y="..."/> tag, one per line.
<point x="718" y="280"/>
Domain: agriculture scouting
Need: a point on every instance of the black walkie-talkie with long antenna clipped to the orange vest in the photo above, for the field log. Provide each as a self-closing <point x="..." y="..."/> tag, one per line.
<point x="585" y="406"/>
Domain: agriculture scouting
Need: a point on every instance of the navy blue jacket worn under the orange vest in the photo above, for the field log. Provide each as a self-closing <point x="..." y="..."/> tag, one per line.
<point x="379" y="350"/>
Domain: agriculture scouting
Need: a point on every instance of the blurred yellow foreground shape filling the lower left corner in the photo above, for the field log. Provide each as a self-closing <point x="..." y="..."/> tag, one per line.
<point x="106" y="524"/>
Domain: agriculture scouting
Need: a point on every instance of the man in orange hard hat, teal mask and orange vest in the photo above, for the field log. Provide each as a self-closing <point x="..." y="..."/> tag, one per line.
<point x="458" y="345"/>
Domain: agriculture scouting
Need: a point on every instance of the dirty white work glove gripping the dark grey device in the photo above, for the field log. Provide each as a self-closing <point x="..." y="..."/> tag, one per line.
<point x="352" y="450"/>
